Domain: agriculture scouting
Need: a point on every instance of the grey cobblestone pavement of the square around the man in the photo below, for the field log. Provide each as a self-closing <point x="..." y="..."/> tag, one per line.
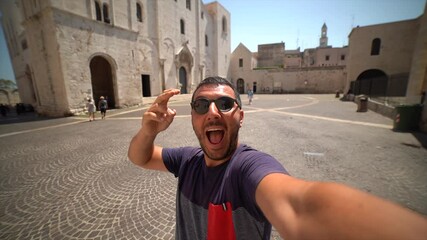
<point x="69" y="178"/>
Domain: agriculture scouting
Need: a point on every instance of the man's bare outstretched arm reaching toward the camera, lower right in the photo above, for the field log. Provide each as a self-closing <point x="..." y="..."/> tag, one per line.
<point x="313" y="210"/>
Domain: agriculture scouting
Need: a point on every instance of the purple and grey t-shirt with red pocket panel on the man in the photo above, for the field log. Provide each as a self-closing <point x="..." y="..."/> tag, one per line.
<point x="220" y="201"/>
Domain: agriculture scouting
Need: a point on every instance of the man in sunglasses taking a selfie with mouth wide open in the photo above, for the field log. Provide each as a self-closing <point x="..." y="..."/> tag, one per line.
<point x="228" y="190"/>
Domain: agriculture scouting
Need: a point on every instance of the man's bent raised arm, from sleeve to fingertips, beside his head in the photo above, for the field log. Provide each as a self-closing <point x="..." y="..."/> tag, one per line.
<point x="157" y="118"/>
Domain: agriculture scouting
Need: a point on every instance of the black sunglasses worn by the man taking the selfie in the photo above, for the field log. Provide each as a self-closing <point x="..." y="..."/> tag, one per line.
<point x="224" y="104"/>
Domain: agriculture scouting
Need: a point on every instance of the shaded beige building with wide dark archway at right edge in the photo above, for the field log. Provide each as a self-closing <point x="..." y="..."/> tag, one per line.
<point x="388" y="62"/>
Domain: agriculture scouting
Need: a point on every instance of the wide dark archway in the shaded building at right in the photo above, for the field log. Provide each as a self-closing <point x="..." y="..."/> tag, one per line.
<point x="372" y="82"/>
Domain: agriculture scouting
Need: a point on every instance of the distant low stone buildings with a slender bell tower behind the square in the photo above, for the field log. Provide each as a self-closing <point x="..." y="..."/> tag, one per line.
<point x="273" y="69"/>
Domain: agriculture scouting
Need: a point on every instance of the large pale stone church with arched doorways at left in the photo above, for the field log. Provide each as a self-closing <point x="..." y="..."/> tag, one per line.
<point x="64" y="52"/>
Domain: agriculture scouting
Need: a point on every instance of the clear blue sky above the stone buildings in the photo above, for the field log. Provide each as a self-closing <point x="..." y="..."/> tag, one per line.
<point x="295" y="22"/>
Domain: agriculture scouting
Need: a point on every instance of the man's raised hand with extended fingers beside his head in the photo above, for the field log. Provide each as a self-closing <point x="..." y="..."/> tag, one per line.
<point x="159" y="116"/>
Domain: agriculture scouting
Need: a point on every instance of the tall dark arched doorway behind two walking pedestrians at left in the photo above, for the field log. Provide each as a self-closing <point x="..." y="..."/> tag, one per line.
<point x="102" y="80"/>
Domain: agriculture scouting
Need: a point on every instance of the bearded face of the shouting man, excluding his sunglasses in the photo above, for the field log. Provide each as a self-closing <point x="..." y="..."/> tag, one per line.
<point x="217" y="131"/>
